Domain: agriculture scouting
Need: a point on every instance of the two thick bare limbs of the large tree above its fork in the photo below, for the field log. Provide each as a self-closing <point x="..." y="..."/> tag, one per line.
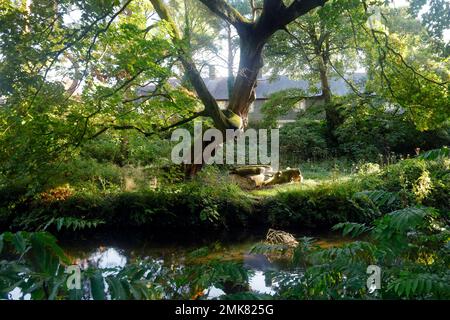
<point x="253" y="35"/>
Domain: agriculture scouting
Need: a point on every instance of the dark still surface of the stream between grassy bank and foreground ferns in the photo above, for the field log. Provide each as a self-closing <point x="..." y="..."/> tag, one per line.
<point x="117" y="253"/>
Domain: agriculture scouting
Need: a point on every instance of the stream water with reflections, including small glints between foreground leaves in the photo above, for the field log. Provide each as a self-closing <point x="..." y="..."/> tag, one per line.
<point x="262" y="278"/>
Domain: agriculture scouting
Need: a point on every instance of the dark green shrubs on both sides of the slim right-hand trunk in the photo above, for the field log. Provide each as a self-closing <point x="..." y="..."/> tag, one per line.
<point x="381" y="132"/>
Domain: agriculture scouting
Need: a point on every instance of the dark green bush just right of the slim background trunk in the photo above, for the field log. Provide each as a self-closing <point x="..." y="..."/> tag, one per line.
<point x="370" y="130"/>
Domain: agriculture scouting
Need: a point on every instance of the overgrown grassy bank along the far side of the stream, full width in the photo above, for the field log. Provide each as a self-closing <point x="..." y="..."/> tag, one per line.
<point x="211" y="202"/>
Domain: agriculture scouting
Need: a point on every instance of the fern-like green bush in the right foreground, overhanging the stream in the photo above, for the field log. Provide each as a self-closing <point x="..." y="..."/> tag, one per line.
<point x="409" y="245"/>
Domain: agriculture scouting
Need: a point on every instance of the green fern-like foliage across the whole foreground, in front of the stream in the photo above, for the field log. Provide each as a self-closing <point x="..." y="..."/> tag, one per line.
<point x="410" y="245"/>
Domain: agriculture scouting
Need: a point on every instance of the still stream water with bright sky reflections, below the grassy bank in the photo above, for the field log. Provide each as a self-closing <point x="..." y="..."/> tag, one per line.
<point x="118" y="254"/>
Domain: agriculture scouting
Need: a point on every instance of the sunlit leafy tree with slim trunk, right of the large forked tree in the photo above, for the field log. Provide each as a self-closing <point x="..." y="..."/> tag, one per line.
<point x="400" y="59"/>
